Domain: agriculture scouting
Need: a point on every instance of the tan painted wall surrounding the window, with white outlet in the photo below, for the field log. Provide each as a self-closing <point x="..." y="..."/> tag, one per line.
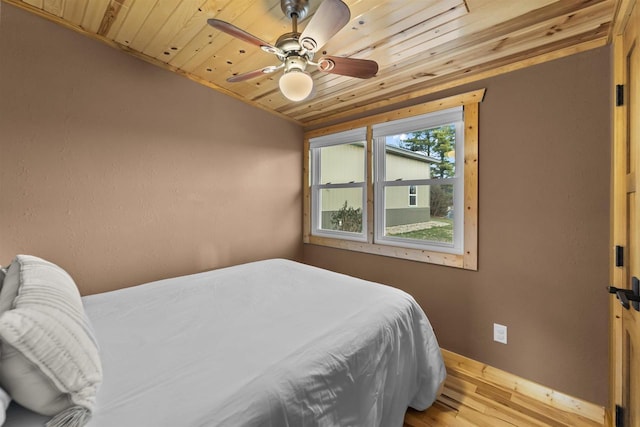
<point x="543" y="232"/>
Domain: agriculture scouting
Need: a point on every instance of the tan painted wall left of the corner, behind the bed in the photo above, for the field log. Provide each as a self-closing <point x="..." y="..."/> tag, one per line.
<point x="124" y="173"/>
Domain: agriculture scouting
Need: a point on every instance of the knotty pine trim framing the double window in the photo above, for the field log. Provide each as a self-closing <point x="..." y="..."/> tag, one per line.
<point x="469" y="258"/>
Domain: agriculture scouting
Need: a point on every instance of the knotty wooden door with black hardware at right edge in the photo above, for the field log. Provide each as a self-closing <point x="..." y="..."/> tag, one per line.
<point x="625" y="373"/>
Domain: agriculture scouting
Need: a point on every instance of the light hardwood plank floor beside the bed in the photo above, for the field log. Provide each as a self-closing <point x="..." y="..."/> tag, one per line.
<point x="470" y="400"/>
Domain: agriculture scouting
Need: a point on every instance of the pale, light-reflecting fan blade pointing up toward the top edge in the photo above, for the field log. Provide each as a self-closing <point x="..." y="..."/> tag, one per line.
<point x="330" y="17"/>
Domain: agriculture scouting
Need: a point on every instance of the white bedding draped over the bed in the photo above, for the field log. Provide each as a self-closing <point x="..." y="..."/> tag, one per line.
<point x="271" y="343"/>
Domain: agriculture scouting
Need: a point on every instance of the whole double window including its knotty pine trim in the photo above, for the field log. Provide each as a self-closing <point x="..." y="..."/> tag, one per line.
<point x="400" y="184"/>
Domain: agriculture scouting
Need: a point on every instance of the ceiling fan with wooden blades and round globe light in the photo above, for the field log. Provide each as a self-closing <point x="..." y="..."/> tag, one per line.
<point x="296" y="50"/>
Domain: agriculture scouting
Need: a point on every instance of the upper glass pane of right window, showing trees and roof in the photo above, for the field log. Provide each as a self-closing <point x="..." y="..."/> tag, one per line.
<point x="424" y="154"/>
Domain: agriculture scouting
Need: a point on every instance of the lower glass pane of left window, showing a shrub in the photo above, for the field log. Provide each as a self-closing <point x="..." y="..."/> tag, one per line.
<point x="341" y="209"/>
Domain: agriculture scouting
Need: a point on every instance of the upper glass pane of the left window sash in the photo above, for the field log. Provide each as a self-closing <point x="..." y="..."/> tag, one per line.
<point x="340" y="164"/>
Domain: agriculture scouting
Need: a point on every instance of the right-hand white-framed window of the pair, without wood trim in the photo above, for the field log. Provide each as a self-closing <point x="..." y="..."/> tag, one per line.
<point x="424" y="153"/>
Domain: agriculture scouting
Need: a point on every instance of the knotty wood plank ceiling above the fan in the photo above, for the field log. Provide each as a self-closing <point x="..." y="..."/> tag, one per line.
<point x="420" y="45"/>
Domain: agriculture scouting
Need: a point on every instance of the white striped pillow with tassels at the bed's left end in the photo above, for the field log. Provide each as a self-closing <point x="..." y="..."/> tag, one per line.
<point x="49" y="360"/>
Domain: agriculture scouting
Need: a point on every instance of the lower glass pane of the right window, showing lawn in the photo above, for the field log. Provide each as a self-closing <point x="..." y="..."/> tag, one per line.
<point x="431" y="219"/>
